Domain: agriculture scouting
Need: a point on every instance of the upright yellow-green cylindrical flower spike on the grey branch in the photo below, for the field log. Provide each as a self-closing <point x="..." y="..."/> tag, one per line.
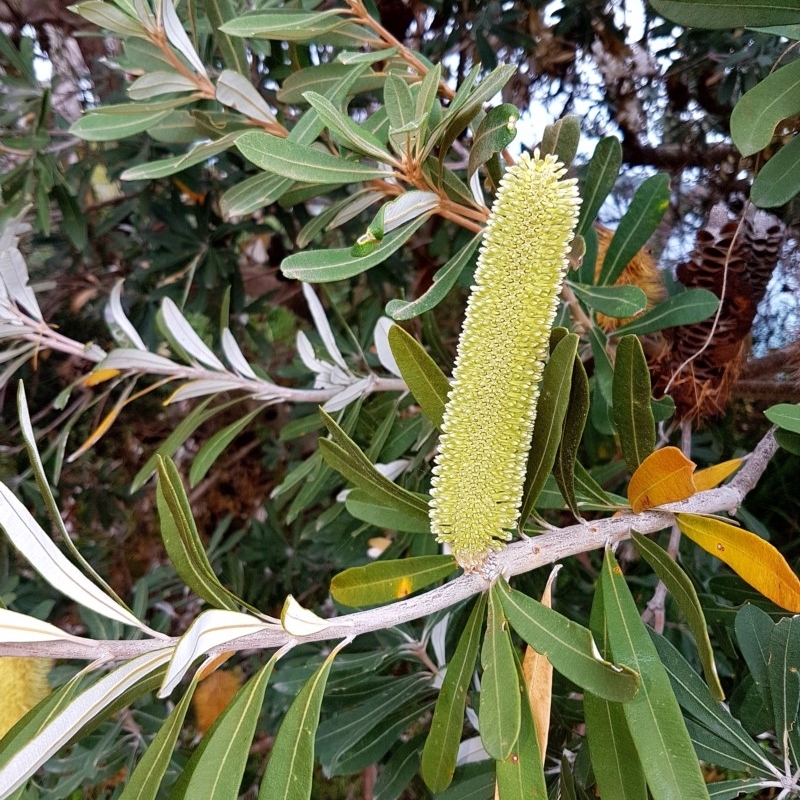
<point x="488" y="421"/>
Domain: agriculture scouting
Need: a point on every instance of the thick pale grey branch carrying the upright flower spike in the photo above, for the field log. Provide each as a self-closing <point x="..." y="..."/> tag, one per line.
<point x="515" y="559"/>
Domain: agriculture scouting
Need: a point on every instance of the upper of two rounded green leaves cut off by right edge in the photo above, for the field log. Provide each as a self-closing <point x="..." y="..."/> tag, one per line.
<point x="758" y="112"/>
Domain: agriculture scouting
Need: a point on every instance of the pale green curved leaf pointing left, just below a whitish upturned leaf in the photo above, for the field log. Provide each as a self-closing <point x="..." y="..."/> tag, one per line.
<point x="323" y="266"/>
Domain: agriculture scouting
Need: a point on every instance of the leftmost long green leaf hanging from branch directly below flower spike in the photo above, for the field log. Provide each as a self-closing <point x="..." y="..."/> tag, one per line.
<point x="441" y="747"/>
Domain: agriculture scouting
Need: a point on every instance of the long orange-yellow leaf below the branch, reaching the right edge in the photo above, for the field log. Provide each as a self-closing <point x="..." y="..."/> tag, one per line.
<point x="753" y="559"/>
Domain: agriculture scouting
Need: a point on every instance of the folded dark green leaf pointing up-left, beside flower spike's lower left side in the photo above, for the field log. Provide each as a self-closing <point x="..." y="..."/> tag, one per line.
<point x="345" y="456"/>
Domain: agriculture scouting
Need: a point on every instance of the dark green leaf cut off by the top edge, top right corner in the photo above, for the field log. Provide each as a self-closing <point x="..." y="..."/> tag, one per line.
<point x="727" y="13"/>
